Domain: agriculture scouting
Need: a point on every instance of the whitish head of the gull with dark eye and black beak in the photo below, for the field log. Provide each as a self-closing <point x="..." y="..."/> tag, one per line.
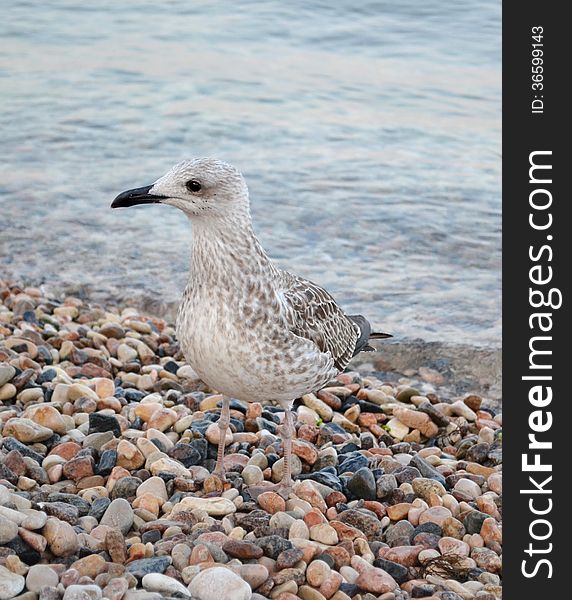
<point x="200" y="187"/>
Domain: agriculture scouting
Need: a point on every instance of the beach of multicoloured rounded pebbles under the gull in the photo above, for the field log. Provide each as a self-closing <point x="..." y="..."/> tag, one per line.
<point x="108" y="440"/>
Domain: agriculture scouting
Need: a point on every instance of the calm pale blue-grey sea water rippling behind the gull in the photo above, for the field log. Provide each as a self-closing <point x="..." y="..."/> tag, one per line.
<point x="369" y="134"/>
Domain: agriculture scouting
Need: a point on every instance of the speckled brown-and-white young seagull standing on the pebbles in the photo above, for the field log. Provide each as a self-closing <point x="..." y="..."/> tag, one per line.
<point x="251" y="331"/>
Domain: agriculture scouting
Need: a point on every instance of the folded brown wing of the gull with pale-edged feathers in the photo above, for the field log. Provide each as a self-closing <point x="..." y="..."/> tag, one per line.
<point x="313" y="314"/>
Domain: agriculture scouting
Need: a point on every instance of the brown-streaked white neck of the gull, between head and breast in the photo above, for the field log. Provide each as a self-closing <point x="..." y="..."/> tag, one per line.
<point x="225" y="251"/>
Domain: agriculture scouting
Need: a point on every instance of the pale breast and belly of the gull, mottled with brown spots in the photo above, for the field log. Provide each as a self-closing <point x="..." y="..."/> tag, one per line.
<point x="240" y="345"/>
